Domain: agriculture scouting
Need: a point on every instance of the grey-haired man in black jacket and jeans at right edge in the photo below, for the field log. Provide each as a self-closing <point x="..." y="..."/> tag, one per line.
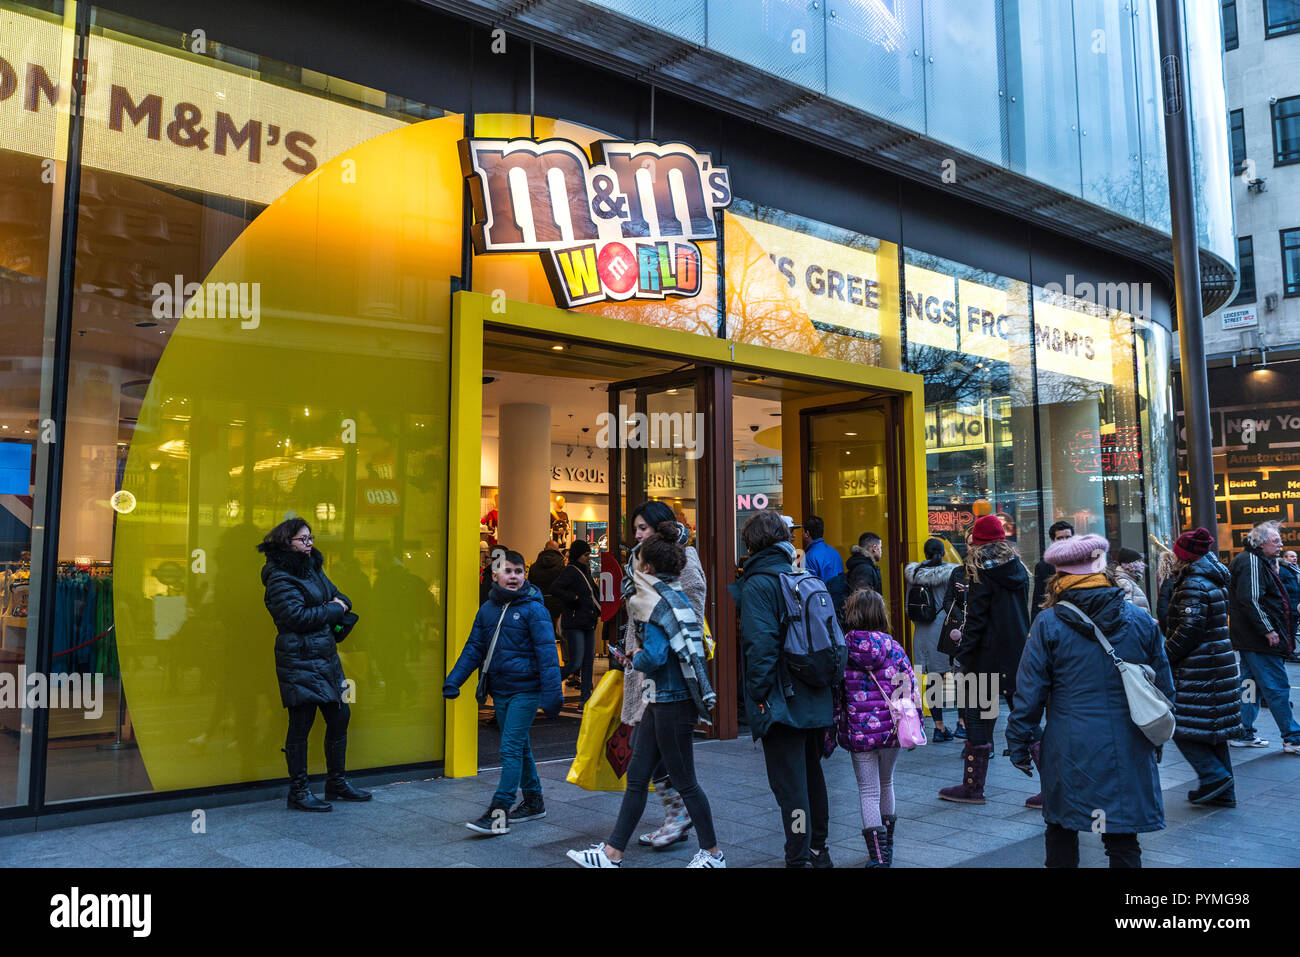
<point x="1263" y="635"/>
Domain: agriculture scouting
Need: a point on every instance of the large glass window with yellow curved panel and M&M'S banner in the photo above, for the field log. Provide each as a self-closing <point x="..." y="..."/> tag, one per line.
<point x="250" y="343"/>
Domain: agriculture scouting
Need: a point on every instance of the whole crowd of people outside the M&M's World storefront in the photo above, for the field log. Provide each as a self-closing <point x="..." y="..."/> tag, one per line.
<point x="824" y="669"/>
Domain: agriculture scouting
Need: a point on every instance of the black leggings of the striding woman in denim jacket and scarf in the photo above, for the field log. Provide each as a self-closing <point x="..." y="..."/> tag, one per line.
<point x="666" y="731"/>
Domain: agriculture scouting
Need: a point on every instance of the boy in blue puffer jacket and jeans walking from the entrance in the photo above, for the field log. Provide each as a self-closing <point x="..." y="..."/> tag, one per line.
<point x="523" y="675"/>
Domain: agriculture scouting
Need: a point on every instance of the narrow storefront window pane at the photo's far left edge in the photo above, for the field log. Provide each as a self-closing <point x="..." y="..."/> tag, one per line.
<point x="34" y="46"/>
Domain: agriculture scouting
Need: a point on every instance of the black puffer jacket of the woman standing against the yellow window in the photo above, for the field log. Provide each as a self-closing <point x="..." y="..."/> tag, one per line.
<point x="301" y="601"/>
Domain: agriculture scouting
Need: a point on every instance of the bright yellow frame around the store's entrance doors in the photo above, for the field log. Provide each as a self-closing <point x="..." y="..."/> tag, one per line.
<point x="473" y="311"/>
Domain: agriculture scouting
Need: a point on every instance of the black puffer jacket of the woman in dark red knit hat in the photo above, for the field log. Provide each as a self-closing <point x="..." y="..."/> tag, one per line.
<point x="1208" y="700"/>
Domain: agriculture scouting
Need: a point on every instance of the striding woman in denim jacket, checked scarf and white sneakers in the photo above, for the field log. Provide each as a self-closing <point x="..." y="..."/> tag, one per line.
<point x="677" y="694"/>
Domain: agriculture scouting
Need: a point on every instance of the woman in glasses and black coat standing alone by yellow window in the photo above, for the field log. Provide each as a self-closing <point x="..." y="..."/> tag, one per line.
<point x="309" y="613"/>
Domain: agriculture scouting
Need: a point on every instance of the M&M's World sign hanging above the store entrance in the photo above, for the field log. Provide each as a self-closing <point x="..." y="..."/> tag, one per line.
<point x="622" y="227"/>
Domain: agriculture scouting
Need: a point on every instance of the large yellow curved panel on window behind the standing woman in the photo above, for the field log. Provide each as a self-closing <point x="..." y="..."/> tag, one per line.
<point x="328" y="397"/>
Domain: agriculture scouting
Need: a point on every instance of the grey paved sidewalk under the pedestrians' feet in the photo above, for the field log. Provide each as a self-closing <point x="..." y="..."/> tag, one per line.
<point x="421" y="824"/>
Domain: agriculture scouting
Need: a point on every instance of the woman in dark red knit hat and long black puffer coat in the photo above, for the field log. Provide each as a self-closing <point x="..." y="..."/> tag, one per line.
<point x="1208" y="701"/>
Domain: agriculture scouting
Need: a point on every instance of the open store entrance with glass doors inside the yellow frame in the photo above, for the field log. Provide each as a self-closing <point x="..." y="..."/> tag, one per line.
<point x="577" y="435"/>
